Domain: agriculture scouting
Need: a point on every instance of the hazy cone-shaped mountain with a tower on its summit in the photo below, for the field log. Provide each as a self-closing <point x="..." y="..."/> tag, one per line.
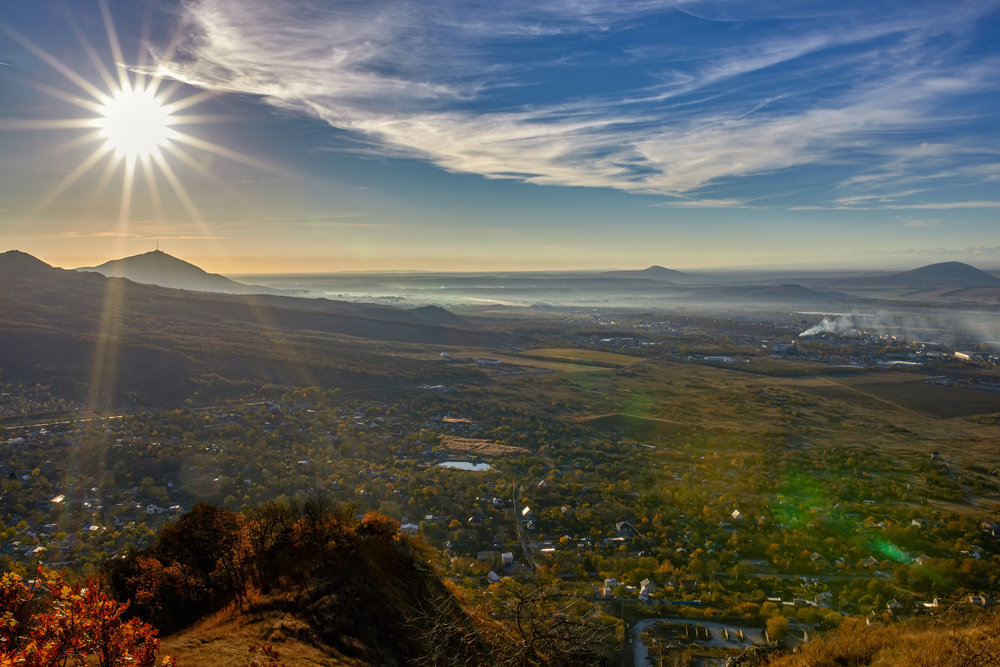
<point x="158" y="268"/>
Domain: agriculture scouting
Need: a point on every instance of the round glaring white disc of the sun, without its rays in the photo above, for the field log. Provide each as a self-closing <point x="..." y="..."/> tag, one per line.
<point x="135" y="123"/>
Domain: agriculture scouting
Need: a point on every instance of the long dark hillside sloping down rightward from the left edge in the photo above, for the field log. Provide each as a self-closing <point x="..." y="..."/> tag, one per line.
<point x="164" y="345"/>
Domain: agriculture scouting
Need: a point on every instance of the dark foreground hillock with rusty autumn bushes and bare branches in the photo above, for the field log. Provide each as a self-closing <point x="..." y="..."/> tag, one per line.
<point x="323" y="587"/>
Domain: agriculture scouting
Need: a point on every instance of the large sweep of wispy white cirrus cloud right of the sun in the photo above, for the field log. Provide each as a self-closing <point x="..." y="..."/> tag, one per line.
<point x="678" y="103"/>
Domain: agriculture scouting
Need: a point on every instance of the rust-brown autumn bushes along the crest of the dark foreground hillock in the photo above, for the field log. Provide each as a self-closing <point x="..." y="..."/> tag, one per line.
<point x="212" y="557"/>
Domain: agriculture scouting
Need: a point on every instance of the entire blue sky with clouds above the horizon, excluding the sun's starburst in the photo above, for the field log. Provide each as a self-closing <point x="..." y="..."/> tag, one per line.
<point x="572" y="134"/>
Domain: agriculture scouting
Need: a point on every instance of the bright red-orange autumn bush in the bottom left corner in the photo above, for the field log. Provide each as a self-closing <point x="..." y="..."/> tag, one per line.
<point x="52" y="622"/>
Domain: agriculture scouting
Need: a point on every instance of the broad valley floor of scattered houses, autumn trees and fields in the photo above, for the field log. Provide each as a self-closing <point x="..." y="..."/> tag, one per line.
<point x="700" y="471"/>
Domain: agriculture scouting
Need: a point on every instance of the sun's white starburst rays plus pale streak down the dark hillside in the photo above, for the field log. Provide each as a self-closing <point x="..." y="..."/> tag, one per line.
<point x="133" y="114"/>
